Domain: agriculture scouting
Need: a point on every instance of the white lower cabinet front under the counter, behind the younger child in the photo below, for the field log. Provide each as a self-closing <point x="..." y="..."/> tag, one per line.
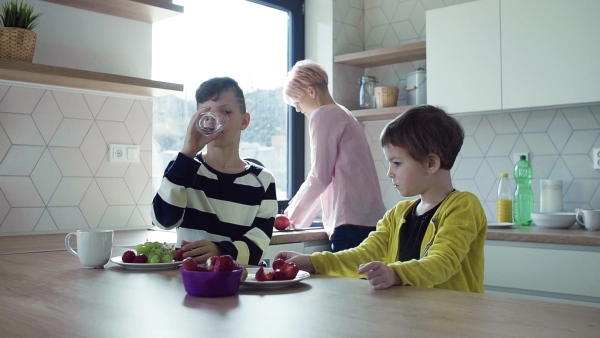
<point x="567" y="273"/>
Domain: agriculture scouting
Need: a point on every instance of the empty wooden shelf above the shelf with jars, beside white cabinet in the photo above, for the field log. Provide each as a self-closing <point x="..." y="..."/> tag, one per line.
<point x="383" y="56"/>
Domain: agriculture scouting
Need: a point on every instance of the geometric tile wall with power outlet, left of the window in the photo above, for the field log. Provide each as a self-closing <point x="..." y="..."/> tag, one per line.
<point x="54" y="171"/>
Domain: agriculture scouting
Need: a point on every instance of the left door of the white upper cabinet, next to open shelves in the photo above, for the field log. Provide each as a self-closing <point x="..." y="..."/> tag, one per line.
<point x="463" y="57"/>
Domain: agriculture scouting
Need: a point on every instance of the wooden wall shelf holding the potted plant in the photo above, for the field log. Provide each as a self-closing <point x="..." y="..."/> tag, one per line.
<point x="82" y="79"/>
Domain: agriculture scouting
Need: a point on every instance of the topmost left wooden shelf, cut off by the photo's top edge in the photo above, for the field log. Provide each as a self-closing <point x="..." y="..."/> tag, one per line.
<point x="140" y="10"/>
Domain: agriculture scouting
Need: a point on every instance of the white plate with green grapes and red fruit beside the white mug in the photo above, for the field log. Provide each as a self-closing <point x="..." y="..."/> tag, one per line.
<point x="149" y="256"/>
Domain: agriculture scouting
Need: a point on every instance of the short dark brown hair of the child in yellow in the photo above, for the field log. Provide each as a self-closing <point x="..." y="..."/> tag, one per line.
<point x="425" y="130"/>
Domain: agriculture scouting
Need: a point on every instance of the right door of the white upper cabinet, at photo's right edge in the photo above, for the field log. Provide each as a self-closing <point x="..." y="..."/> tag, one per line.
<point x="550" y="52"/>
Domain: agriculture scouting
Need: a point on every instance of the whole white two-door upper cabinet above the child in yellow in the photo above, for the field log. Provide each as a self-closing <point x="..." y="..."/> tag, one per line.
<point x="491" y="55"/>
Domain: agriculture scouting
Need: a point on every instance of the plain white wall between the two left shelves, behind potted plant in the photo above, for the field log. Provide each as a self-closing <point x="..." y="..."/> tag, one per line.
<point x="74" y="38"/>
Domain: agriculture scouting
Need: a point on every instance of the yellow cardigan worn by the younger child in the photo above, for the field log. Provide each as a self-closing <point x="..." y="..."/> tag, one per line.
<point x="451" y="252"/>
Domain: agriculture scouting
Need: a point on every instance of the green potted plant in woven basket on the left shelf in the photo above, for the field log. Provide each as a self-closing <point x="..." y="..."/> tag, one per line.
<point x="17" y="38"/>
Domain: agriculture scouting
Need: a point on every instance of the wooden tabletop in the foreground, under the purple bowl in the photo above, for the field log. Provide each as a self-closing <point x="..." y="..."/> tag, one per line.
<point x="50" y="295"/>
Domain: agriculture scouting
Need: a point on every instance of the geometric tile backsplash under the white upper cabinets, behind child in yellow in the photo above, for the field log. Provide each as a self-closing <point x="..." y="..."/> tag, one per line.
<point x="563" y="150"/>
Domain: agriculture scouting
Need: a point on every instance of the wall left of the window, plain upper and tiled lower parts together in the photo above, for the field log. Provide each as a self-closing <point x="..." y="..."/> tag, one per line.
<point x="54" y="173"/>
